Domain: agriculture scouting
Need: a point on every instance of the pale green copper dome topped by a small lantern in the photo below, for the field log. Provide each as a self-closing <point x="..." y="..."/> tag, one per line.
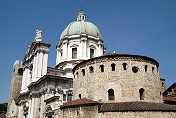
<point x="81" y="26"/>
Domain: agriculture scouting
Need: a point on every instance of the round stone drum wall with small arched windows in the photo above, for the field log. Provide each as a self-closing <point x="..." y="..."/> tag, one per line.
<point x="125" y="83"/>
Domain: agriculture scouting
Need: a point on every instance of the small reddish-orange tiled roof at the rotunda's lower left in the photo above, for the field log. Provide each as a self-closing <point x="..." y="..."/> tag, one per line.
<point x="80" y="102"/>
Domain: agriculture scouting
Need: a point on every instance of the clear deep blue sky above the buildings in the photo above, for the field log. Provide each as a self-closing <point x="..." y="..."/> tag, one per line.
<point x="139" y="27"/>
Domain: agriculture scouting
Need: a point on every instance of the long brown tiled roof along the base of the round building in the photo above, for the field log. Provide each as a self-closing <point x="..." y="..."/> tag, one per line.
<point x="136" y="106"/>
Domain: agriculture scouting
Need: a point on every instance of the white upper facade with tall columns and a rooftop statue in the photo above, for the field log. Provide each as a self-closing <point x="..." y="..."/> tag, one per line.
<point x="35" y="61"/>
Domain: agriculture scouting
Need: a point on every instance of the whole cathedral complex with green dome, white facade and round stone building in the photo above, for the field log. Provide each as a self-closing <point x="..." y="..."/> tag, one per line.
<point x="85" y="82"/>
